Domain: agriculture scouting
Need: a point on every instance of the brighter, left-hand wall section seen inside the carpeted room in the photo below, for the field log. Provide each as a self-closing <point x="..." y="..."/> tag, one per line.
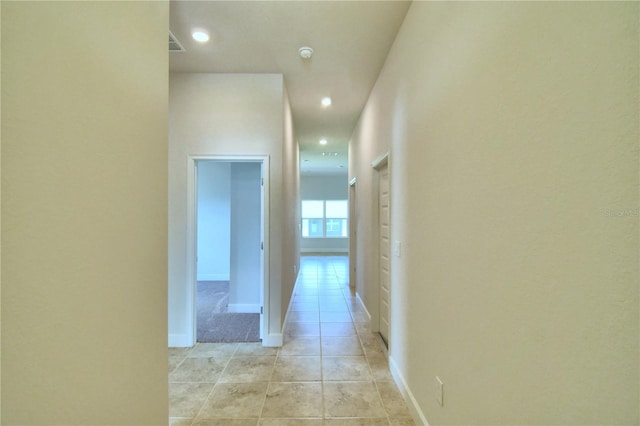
<point x="214" y="221"/>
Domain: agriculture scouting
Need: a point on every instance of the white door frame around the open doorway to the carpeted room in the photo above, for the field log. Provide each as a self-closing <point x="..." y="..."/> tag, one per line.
<point x="191" y="278"/>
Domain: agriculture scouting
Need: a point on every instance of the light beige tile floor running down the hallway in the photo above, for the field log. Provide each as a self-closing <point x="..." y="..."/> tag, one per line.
<point x="330" y="371"/>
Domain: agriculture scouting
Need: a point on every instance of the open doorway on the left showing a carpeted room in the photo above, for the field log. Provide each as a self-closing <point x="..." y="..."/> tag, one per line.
<point x="228" y="256"/>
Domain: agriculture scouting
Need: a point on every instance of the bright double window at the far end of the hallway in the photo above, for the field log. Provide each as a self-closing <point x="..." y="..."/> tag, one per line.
<point x="324" y="219"/>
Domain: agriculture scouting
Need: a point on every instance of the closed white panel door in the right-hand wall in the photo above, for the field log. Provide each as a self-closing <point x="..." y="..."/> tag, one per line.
<point x="383" y="252"/>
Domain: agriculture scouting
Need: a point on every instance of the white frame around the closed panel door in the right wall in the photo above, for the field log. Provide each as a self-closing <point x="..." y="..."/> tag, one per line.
<point x="381" y="161"/>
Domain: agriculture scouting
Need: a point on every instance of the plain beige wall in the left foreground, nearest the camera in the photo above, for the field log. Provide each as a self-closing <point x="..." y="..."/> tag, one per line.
<point x="84" y="213"/>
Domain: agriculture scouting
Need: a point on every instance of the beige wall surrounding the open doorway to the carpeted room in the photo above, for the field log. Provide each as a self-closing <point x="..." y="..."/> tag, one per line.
<point x="230" y="114"/>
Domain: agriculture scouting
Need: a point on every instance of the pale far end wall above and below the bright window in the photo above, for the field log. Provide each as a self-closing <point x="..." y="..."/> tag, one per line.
<point x="324" y="187"/>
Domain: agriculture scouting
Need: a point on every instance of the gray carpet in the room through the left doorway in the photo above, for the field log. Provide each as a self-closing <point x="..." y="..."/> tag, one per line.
<point x="215" y="324"/>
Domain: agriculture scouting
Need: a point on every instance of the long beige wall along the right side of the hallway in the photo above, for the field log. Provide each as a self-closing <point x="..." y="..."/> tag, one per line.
<point x="513" y="131"/>
